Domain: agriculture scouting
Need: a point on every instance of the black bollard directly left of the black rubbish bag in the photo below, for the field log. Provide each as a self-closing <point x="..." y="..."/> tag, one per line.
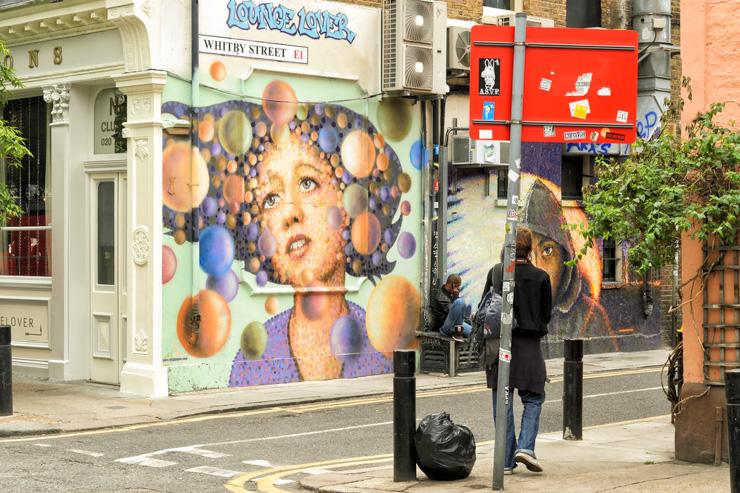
<point x="404" y="415"/>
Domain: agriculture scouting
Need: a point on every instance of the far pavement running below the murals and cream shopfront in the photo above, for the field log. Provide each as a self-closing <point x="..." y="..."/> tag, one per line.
<point x="46" y="407"/>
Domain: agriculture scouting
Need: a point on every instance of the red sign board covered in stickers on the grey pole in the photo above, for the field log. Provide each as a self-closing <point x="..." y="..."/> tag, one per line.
<point x="580" y="85"/>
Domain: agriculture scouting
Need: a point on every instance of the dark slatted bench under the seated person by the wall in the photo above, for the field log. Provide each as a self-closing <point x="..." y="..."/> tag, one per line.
<point x="440" y="353"/>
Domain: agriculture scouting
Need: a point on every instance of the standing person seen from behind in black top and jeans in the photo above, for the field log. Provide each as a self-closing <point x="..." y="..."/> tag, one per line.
<point x="532" y="307"/>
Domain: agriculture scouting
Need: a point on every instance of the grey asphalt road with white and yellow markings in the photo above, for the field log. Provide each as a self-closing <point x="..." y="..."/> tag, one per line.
<point x="269" y="449"/>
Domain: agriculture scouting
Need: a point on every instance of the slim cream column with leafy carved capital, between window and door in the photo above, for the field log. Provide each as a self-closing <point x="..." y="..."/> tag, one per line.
<point x="58" y="96"/>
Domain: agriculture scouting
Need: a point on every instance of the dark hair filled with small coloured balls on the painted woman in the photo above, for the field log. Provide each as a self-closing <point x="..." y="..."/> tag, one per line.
<point x="383" y="190"/>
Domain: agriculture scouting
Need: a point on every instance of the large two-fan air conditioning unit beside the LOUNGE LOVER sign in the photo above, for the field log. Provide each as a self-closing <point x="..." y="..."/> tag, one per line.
<point x="414" y="46"/>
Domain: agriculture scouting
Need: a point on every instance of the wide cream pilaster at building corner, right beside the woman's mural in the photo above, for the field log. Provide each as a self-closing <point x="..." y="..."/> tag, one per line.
<point x="143" y="373"/>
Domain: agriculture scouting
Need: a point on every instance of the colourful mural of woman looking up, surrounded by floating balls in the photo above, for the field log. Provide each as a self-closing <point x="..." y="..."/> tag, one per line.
<point x="281" y="196"/>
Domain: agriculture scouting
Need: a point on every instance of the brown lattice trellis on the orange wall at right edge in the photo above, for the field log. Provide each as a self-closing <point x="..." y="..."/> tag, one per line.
<point x="721" y="306"/>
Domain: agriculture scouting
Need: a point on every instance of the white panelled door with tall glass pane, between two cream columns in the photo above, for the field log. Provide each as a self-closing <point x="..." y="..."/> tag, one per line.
<point x="108" y="276"/>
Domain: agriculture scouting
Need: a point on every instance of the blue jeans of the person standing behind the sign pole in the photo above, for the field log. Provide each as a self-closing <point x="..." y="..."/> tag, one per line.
<point x="530" y="424"/>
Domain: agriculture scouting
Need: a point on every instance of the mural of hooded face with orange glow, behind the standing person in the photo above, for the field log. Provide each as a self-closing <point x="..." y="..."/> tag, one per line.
<point x="608" y="319"/>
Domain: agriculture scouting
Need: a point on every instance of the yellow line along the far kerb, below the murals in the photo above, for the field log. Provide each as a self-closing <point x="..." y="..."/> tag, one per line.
<point x="305" y="408"/>
